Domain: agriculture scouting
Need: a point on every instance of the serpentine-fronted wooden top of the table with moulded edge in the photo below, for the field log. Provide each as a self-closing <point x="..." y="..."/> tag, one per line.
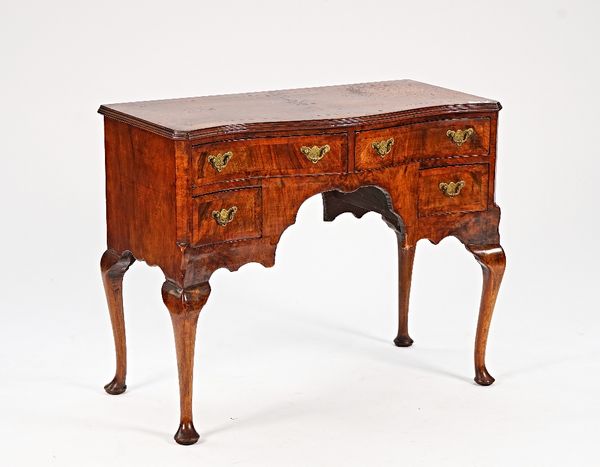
<point x="179" y="117"/>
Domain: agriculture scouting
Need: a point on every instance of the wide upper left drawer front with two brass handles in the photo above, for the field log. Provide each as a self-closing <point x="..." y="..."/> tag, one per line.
<point x="230" y="160"/>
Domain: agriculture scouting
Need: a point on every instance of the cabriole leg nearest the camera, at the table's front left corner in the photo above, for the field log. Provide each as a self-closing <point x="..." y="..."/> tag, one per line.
<point x="184" y="305"/>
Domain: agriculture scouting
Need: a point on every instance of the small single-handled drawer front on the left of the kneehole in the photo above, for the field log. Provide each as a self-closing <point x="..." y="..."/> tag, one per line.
<point x="226" y="216"/>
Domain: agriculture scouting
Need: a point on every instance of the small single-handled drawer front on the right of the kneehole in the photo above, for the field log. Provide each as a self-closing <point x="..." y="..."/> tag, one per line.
<point x="446" y="190"/>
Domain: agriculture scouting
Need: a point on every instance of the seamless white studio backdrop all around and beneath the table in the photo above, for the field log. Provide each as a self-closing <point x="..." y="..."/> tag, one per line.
<point x="311" y="378"/>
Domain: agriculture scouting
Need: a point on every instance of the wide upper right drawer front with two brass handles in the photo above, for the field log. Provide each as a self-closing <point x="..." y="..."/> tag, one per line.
<point x="440" y="138"/>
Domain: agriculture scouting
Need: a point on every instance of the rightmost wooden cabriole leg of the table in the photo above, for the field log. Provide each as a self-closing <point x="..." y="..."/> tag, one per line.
<point x="493" y="262"/>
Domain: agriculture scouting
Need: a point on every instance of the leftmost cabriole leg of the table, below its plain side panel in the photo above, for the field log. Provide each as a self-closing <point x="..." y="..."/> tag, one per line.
<point x="113" y="266"/>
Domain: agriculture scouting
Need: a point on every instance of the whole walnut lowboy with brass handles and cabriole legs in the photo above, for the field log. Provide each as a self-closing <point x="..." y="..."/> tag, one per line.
<point x="193" y="185"/>
